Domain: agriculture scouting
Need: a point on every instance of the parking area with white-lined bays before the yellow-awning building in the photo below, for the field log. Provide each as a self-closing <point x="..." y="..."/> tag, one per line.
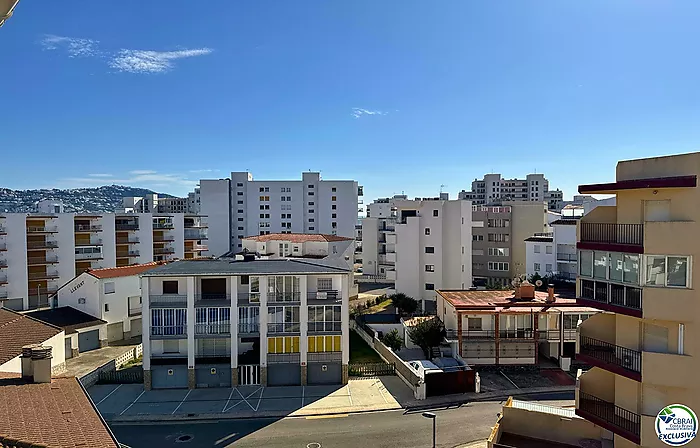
<point x="128" y="401"/>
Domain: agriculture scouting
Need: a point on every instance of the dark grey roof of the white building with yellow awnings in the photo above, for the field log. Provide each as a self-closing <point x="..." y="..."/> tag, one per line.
<point x="219" y="267"/>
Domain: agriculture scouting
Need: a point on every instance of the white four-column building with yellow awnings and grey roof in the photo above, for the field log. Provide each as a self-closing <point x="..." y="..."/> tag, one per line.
<point x="218" y="323"/>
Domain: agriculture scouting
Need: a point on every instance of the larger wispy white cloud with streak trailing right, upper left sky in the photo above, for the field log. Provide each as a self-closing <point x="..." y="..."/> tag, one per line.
<point x="148" y="61"/>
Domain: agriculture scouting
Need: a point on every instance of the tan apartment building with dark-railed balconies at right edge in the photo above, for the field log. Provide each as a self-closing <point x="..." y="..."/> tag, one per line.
<point x="635" y="262"/>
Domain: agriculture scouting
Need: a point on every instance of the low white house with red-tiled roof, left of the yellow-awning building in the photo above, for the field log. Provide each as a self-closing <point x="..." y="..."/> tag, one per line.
<point x="111" y="294"/>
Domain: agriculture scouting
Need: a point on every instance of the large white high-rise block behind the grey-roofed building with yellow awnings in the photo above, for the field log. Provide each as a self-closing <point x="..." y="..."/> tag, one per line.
<point x="240" y="206"/>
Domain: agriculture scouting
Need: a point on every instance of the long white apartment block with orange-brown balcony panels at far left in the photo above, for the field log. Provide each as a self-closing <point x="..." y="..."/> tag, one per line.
<point x="39" y="252"/>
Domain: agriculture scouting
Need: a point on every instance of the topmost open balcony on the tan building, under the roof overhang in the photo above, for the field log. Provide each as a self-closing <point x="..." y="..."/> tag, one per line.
<point x="611" y="237"/>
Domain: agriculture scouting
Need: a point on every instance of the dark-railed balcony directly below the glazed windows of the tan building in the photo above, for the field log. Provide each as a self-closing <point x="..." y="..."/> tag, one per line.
<point x="612" y="297"/>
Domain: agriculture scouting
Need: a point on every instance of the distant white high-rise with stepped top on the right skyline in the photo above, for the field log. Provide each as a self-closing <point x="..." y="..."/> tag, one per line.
<point x="493" y="188"/>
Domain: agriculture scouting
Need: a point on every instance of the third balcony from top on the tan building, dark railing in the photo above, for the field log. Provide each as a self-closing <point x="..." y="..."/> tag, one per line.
<point x="613" y="358"/>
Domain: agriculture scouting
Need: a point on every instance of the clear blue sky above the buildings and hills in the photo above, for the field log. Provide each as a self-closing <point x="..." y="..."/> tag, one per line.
<point x="401" y="95"/>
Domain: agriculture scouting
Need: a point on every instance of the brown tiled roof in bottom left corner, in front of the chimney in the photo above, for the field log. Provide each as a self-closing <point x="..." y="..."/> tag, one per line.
<point x="57" y="414"/>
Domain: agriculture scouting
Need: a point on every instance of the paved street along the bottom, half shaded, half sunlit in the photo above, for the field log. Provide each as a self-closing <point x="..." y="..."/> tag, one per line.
<point x="455" y="427"/>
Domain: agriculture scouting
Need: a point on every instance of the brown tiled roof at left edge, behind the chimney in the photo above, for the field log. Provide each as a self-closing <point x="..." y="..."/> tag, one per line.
<point x="18" y="330"/>
